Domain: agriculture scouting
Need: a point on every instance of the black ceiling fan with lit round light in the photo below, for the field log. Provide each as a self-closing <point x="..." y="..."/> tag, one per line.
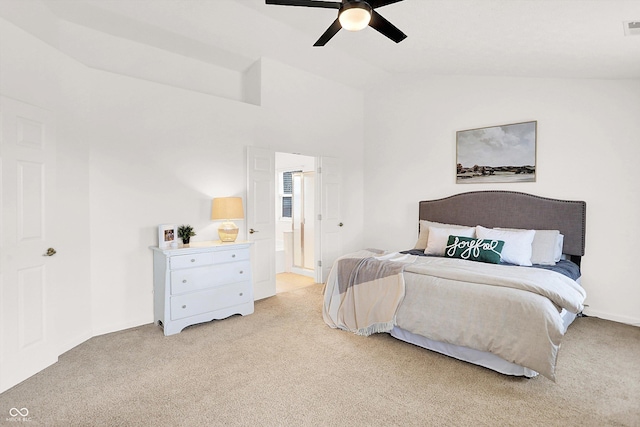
<point x="353" y="15"/>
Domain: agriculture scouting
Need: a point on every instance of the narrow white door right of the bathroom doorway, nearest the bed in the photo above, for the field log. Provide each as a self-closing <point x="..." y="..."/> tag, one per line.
<point x="330" y="221"/>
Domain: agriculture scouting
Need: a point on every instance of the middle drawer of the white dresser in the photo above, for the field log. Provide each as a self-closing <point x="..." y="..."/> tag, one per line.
<point x="193" y="279"/>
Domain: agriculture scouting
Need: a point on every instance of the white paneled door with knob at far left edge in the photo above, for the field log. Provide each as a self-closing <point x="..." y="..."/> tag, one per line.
<point x="27" y="162"/>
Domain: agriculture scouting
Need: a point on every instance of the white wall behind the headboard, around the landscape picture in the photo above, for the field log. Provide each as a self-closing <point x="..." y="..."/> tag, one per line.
<point x="587" y="149"/>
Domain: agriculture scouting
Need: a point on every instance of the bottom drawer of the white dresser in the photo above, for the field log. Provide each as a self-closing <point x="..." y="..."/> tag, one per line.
<point x="210" y="300"/>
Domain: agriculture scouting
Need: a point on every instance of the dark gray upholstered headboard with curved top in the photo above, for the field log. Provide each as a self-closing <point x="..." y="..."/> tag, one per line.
<point x="511" y="209"/>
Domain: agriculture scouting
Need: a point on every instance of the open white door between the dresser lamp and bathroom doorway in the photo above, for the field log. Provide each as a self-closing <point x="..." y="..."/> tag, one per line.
<point x="261" y="223"/>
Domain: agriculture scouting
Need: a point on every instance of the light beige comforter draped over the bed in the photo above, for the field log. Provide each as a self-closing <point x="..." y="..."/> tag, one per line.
<point x="512" y="312"/>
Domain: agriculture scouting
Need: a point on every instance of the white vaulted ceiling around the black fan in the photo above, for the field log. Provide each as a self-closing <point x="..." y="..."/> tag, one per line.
<point x="522" y="38"/>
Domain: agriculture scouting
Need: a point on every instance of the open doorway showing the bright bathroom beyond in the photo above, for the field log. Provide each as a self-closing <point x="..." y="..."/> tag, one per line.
<point x="295" y="218"/>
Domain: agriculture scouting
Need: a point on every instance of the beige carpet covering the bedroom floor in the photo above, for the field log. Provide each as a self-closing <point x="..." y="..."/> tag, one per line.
<point x="282" y="366"/>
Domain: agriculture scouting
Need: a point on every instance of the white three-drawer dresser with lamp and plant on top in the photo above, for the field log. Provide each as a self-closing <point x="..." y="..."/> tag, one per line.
<point x="199" y="283"/>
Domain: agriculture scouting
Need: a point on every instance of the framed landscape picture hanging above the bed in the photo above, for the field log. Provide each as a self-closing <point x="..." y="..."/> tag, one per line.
<point x="505" y="153"/>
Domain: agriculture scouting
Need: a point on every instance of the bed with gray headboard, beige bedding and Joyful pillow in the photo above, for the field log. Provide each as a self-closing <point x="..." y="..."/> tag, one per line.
<point x="505" y="316"/>
